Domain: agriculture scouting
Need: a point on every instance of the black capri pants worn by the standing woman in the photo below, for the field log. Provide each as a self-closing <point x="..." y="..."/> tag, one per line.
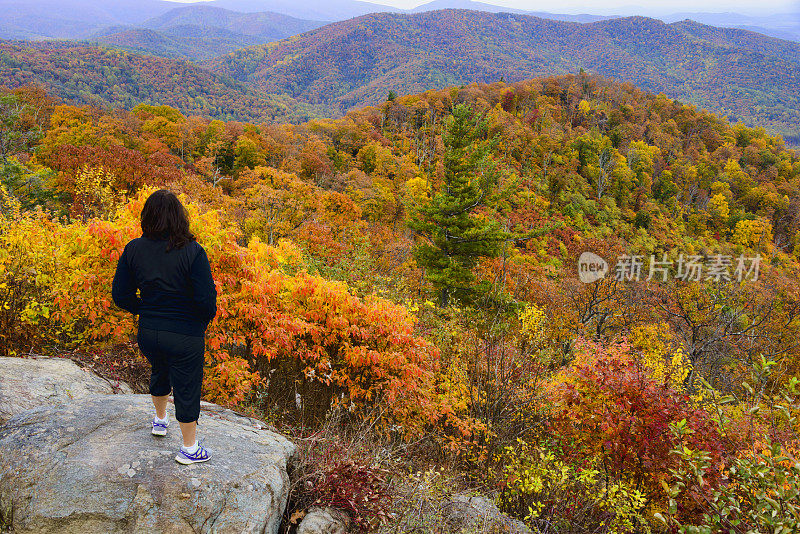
<point x="177" y="364"/>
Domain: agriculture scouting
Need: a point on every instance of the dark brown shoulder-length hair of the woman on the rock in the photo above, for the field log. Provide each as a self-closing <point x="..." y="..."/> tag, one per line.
<point x="164" y="217"/>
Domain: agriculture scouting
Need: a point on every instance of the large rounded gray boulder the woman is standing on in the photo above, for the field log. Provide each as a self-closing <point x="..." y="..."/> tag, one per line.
<point x="91" y="465"/>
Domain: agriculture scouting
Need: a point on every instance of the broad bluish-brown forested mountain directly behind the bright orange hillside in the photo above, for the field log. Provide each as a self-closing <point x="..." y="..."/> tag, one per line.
<point x="743" y="75"/>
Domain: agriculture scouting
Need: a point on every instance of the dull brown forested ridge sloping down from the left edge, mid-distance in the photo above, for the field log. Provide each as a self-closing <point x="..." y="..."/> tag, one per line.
<point x="119" y="79"/>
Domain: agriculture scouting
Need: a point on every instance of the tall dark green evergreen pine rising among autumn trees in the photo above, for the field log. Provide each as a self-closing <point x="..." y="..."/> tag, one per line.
<point x="454" y="238"/>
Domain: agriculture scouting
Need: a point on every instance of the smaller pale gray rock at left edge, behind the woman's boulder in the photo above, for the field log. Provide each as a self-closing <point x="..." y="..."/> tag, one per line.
<point x="27" y="383"/>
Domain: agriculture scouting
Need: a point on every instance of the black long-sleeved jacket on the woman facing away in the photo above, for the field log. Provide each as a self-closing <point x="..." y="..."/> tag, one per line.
<point x="176" y="289"/>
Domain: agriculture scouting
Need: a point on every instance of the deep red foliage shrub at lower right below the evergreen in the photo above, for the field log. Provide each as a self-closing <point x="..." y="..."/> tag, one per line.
<point x="606" y="405"/>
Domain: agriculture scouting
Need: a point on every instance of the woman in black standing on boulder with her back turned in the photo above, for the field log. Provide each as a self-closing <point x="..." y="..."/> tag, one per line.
<point x="177" y="299"/>
